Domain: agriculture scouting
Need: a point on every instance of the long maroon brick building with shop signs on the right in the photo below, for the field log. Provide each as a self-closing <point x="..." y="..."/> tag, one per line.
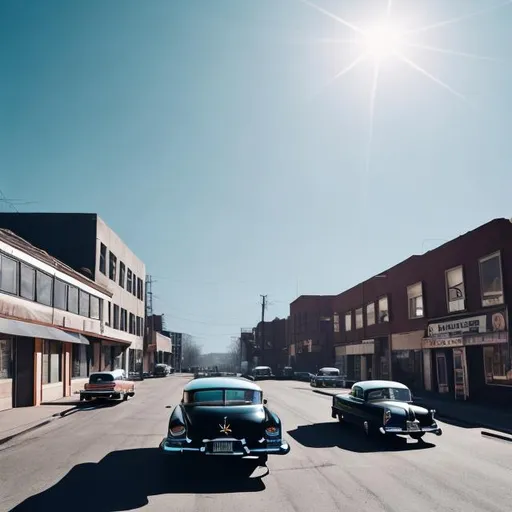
<point x="437" y="322"/>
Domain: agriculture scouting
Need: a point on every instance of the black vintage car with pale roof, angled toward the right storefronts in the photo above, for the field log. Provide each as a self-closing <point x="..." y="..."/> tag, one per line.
<point x="385" y="407"/>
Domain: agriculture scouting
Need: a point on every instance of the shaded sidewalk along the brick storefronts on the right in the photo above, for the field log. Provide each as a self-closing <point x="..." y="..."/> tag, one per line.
<point x="462" y="414"/>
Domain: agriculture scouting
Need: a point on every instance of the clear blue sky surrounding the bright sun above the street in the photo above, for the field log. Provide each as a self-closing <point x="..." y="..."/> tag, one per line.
<point x="207" y="134"/>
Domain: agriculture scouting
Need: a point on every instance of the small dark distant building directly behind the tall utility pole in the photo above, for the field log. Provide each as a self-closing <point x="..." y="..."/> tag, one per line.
<point x="271" y="340"/>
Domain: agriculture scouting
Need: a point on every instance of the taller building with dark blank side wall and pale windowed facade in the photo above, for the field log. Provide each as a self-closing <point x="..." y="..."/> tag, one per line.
<point x="85" y="243"/>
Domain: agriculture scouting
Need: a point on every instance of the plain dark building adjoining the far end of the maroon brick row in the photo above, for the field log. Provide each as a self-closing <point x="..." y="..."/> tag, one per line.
<point x="312" y="324"/>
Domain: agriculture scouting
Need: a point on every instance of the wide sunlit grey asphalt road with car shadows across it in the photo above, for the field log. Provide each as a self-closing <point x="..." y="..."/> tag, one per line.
<point x="106" y="459"/>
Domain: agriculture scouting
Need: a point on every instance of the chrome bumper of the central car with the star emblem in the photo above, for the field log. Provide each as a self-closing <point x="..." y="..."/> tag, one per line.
<point x="240" y="448"/>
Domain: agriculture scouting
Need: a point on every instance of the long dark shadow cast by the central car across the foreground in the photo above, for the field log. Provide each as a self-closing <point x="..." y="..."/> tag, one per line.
<point x="125" y="479"/>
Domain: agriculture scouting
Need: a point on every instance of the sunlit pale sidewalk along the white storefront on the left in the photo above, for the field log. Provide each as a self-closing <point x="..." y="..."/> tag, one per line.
<point x="14" y="422"/>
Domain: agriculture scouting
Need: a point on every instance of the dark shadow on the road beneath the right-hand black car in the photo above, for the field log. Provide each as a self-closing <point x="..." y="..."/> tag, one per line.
<point x="346" y="437"/>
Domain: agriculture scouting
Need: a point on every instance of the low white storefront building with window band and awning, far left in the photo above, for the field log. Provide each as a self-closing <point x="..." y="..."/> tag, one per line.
<point x="52" y="328"/>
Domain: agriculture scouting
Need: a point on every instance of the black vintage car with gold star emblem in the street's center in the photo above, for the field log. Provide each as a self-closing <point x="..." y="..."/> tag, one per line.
<point x="224" y="416"/>
